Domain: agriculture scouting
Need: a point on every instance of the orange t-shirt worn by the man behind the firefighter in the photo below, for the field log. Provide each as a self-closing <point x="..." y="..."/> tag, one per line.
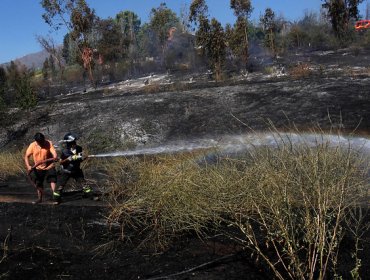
<point x="41" y="153"/>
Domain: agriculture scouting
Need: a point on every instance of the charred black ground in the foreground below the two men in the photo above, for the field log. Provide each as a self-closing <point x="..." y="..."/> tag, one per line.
<point x="74" y="242"/>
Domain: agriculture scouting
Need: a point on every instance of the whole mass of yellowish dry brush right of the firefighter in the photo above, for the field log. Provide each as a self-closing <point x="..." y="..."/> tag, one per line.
<point x="291" y="201"/>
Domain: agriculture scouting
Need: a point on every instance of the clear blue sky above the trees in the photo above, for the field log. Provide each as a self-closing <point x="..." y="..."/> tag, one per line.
<point x="21" y="20"/>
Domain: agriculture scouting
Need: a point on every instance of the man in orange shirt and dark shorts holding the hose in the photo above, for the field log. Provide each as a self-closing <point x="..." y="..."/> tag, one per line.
<point x="44" y="156"/>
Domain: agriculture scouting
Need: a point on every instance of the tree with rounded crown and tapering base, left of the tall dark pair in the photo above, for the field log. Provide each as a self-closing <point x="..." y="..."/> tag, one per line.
<point x="162" y="21"/>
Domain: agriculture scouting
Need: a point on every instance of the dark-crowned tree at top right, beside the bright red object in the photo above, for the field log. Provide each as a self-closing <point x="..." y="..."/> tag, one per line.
<point x="340" y="12"/>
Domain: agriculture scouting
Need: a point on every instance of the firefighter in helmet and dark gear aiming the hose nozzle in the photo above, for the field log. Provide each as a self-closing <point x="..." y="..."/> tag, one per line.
<point x="70" y="163"/>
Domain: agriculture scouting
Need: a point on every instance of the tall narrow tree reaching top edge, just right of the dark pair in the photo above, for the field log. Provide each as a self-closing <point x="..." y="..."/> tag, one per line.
<point x="242" y="10"/>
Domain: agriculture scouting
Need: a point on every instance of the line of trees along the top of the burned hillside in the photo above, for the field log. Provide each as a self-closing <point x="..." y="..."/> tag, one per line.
<point x="119" y="47"/>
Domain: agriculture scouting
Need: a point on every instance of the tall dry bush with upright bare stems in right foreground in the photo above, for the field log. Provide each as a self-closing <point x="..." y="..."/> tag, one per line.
<point x="300" y="200"/>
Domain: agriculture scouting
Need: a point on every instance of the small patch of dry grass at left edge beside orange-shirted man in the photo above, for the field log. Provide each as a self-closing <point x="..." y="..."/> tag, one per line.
<point x="11" y="164"/>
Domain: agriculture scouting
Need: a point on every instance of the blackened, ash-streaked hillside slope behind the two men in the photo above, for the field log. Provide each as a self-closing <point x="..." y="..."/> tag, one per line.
<point x="332" y="92"/>
